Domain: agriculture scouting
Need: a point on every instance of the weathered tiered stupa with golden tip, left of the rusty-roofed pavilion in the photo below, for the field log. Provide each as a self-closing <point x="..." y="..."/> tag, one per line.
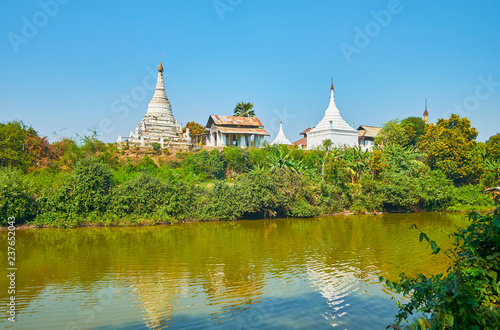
<point x="158" y="124"/>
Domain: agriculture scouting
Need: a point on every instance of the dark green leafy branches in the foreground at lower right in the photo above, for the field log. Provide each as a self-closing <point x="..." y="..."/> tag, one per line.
<point x="468" y="297"/>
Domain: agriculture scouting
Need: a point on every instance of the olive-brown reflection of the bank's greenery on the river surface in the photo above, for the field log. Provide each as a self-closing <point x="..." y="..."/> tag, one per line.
<point x="230" y="262"/>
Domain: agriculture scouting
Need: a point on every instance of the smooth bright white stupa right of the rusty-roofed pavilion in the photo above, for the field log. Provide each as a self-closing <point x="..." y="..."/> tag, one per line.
<point x="332" y="127"/>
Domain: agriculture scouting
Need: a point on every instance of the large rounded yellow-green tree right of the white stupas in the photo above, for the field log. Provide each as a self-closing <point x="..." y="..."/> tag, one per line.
<point x="450" y="146"/>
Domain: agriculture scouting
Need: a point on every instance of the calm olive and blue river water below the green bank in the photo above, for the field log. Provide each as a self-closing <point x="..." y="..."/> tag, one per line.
<point x="272" y="274"/>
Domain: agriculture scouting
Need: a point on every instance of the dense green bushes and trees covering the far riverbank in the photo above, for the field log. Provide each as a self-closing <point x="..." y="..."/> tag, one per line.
<point x="415" y="167"/>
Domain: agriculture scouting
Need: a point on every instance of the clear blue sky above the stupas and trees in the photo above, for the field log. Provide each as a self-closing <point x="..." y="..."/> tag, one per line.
<point x="68" y="66"/>
